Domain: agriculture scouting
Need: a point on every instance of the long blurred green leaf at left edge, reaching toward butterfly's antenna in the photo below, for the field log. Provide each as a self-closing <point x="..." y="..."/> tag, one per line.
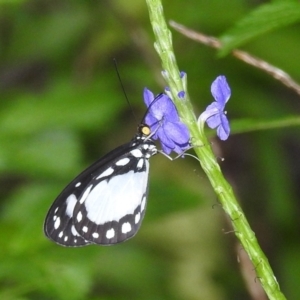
<point x="64" y="106"/>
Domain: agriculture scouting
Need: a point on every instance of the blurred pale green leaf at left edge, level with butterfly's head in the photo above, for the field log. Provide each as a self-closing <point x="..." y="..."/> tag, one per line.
<point x="50" y="153"/>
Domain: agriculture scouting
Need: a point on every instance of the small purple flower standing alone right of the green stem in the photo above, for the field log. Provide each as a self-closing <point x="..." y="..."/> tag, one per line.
<point x="214" y="115"/>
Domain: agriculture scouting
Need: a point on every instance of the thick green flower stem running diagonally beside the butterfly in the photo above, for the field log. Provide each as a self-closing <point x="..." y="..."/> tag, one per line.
<point x="243" y="232"/>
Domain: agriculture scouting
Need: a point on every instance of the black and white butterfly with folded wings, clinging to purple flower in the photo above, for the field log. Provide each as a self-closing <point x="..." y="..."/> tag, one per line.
<point x="106" y="203"/>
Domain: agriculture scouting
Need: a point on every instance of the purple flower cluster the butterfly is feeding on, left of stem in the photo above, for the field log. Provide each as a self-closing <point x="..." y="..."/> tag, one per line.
<point x="162" y="117"/>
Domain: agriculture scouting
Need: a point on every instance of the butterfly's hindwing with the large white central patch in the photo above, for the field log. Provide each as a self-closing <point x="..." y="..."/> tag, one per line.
<point x="111" y="209"/>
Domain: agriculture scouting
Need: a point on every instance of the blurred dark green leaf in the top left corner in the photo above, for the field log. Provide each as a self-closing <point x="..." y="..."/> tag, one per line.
<point x="47" y="35"/>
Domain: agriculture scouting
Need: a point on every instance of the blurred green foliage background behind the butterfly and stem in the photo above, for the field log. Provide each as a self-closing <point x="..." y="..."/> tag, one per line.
<point x="62" y="108"/>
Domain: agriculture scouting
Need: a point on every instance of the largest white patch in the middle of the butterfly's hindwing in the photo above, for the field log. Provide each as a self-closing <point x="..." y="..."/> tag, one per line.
<point x="110" y="201"/>
